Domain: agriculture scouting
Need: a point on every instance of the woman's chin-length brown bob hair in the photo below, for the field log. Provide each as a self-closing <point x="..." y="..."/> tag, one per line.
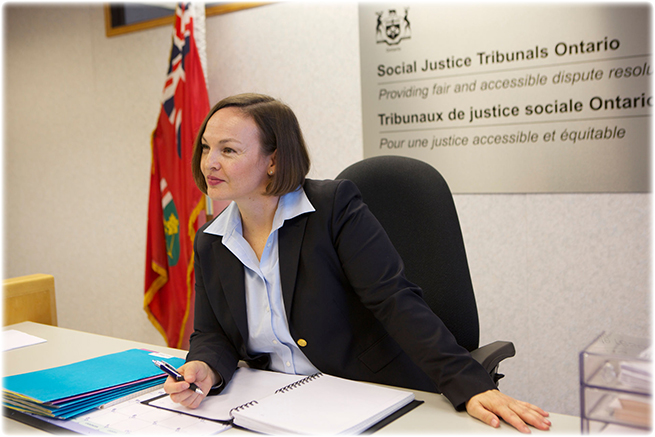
<point x="278" y="130"/>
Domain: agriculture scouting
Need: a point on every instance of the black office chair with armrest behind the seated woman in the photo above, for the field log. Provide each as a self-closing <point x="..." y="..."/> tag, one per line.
<point x="415" y="206"/>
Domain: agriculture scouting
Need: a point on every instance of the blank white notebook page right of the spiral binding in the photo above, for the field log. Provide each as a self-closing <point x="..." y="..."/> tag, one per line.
<point x="324" y="405"/>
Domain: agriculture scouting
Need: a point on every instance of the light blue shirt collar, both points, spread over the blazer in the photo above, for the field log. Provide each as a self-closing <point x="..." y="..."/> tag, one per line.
<point x="289" y="206"/>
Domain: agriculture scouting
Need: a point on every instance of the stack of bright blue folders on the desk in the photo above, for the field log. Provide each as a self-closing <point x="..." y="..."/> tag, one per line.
<point x="67" y="391"/>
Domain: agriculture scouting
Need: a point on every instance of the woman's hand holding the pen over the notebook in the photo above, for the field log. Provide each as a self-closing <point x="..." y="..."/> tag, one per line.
<point x="197" y="372"/>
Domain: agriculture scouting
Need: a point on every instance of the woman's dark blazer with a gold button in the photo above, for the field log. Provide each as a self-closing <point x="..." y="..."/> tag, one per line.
<point x="345" y="297"/>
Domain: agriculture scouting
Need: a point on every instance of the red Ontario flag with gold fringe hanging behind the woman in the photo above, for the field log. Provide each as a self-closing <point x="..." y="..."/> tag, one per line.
<point x="175" y="203"/>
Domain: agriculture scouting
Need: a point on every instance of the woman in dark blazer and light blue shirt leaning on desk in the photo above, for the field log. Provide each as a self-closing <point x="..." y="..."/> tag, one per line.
<point x="297" y="276"/>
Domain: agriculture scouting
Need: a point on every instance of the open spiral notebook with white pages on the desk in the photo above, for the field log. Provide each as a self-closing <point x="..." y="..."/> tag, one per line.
<point x="277" y="403"/>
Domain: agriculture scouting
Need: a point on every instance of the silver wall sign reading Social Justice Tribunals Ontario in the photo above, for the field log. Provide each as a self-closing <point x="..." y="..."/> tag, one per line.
<point x="513" y="98"/>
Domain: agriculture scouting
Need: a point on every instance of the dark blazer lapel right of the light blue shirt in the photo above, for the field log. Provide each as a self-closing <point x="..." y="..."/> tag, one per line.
<point x="290" y="241"/>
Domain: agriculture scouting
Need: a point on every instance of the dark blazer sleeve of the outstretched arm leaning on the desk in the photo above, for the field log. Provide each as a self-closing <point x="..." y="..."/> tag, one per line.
<point x="376" y="273"/>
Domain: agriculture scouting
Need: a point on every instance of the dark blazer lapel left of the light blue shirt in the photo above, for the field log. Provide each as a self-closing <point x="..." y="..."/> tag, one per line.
<point x="233" y="284"/>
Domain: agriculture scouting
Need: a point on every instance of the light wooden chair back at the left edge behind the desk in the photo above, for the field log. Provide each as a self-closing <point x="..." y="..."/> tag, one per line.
<point x="30" y="298"/>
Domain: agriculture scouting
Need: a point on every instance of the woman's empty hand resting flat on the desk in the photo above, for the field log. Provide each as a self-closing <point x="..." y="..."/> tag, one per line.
<point x="491" y="405"/>
